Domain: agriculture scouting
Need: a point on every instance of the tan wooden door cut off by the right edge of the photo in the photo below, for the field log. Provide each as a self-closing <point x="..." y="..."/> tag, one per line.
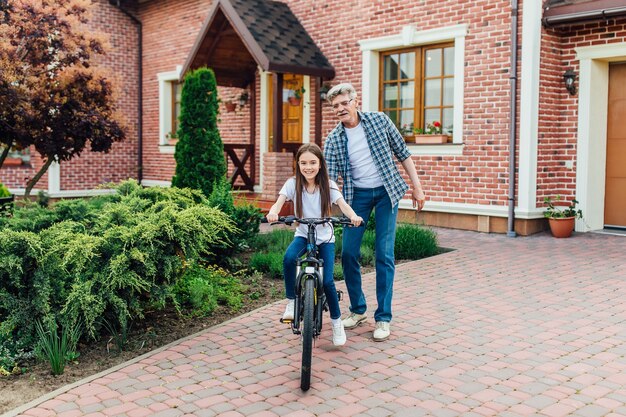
<point x="615" y="193"/>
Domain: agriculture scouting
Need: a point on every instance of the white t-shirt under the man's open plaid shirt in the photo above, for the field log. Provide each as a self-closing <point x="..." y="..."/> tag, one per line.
<point x="364" y="172"/>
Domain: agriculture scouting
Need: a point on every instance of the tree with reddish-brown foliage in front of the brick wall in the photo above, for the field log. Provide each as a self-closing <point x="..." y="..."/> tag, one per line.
<point x="50" y="95"/>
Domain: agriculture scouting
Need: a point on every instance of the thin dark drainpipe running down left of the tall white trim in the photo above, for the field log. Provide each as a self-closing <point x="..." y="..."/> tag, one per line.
<point x="512" y="125"/>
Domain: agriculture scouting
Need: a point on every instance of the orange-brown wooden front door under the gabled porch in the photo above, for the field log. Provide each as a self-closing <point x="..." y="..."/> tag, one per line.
<point x="292" y="113"/>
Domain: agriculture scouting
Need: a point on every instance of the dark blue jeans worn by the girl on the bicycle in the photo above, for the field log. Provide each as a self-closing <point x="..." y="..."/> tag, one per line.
<point x="296" y="249"/>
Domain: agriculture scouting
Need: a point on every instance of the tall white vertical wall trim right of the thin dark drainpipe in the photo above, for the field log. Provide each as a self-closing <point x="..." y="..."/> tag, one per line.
<point x="529" y="106"/>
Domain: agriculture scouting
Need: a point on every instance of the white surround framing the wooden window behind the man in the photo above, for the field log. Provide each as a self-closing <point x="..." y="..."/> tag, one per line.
<point x="409" y="36"/>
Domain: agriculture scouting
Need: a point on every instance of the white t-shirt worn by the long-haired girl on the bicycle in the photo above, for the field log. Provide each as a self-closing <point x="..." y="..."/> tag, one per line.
<point x="312" y="207"/>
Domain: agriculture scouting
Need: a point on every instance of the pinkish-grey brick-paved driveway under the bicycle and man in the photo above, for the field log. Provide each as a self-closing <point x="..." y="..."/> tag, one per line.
<point x="500" y="326"/>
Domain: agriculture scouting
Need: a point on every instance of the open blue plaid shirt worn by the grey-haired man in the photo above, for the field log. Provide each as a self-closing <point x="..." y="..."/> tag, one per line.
<point x="383" y="139"/>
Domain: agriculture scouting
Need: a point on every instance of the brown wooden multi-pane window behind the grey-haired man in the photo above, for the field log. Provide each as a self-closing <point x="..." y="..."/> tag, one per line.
<point x="417" y="86"/>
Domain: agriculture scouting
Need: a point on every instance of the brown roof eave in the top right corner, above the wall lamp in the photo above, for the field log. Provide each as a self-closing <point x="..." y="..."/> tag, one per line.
<point x="559" y="12"/>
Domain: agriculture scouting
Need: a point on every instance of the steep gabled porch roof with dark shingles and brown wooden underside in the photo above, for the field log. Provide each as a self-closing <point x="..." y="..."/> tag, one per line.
<point x="238" y="35"/>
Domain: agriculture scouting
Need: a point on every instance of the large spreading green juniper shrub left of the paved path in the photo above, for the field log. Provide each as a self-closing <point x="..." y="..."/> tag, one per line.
<point x="105" y="257"/>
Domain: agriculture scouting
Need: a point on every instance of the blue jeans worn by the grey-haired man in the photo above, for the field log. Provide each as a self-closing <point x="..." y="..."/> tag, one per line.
<point x="366" y="199"/>
